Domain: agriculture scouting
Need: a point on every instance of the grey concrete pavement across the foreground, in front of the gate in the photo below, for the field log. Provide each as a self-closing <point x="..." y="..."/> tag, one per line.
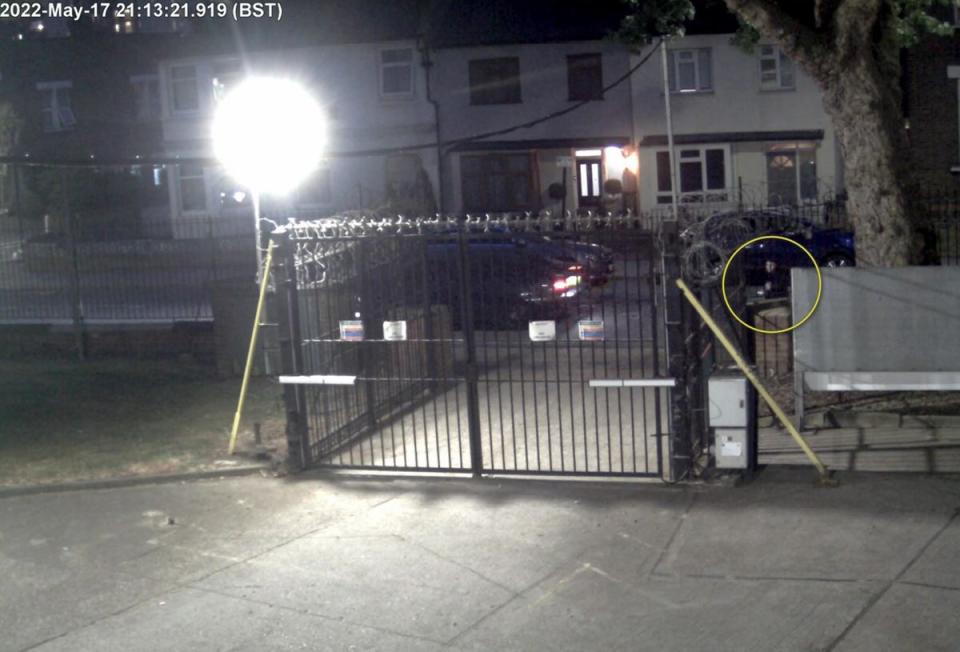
<point x="325" y="563"/>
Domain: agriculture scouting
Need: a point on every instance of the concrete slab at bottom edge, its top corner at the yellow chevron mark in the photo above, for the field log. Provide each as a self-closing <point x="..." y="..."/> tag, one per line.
<point x="586" y="607"/>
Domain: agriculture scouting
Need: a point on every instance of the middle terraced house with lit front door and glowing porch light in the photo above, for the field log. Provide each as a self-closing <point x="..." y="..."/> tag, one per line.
<point x="513" y="65"/>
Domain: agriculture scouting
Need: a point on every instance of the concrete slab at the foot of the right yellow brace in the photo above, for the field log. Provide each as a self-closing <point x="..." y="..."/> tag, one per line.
<point x="859" y="530"/>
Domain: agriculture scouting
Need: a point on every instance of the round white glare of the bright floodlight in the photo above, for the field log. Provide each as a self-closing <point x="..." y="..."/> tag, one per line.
<point x="269" y="134"/>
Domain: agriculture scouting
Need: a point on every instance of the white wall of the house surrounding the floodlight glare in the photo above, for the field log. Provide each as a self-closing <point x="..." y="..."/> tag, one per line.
<point x="366" y="109"/>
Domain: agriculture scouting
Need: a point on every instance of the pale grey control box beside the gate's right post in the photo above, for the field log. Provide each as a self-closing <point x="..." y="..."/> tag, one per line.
<point x="732" y="416"/>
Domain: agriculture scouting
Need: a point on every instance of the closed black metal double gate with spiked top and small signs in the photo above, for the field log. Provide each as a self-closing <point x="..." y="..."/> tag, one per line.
<point x="496" y="346"/>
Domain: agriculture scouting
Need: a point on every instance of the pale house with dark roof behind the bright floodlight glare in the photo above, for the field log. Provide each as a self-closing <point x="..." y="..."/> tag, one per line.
<point x="372" y="86"/>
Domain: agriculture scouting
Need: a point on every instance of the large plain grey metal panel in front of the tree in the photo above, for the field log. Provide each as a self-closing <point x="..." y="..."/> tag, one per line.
<point x="901" y="319"/>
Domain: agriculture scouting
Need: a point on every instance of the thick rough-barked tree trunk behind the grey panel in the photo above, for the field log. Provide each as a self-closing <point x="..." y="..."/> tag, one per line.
<point x="853" y="54"/>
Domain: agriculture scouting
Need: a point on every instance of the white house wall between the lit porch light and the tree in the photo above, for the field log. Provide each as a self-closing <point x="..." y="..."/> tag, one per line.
<point x="757" y="118"/>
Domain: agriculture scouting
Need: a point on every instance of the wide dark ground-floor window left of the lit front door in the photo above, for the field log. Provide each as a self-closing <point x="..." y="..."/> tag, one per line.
<point x="496" y="182"/>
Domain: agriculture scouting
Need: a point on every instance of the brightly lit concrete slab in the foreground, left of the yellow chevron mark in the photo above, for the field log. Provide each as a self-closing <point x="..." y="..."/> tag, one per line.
<point x="378" y="581"/>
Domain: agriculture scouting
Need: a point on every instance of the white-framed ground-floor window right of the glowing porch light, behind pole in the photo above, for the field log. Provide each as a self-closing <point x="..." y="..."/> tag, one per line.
<point x="701" y="174"/>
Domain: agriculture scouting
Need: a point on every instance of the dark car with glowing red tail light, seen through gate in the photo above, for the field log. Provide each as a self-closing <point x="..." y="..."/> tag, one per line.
<point x="511" y="281"/>
